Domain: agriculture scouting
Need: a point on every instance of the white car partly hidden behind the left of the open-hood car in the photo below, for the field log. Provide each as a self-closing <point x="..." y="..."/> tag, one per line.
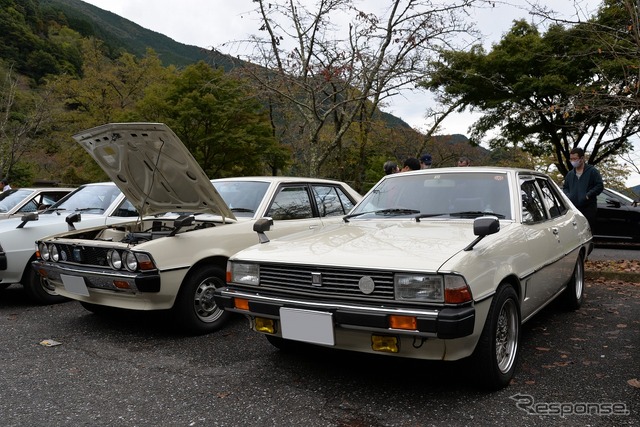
<point x="87" y="206"/>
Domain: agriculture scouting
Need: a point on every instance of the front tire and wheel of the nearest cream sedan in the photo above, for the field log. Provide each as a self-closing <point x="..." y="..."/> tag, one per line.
<point x="497" y="351"/>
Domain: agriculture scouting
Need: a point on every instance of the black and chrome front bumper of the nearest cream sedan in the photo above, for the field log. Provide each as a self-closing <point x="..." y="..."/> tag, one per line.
<point x="442" y="323"/>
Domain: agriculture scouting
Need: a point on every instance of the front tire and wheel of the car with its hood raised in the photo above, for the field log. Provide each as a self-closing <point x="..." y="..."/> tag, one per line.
<point x="195" y="309"/>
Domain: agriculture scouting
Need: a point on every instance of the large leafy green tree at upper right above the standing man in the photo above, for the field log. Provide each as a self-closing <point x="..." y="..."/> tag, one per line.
<point x="550" y="93"/>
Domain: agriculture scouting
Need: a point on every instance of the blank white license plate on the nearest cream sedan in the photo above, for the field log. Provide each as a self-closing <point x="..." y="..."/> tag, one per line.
<point x="306" y="325"/>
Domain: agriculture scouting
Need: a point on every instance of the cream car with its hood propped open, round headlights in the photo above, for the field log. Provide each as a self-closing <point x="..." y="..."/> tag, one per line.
<point x="176" y="259"/>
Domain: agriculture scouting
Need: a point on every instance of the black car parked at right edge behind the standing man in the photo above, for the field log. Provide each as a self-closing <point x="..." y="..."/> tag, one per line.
<point x="618" y="217"/>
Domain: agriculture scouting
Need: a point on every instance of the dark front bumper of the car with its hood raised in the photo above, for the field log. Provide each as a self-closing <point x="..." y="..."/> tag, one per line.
<point x="97" y="278"/>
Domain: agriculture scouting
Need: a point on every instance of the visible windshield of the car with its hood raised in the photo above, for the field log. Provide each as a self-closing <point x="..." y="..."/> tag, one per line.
<point x="242" y="197"/>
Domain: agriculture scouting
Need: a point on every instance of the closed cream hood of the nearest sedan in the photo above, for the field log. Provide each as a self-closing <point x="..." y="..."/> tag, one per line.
<point x="403" y="245"/>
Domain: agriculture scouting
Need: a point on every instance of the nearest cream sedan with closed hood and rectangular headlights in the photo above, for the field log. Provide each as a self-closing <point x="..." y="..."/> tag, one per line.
<point x="439" y="264"/>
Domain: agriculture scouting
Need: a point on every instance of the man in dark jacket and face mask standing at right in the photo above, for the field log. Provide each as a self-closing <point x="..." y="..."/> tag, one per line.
<point x="582" y="185"/>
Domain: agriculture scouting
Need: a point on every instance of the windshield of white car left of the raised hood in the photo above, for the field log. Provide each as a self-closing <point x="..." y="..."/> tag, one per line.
<point x="94" y="199"/>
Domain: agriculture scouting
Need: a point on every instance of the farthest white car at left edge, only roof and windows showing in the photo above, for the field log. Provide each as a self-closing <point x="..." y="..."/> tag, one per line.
<point x="19" y="201"/>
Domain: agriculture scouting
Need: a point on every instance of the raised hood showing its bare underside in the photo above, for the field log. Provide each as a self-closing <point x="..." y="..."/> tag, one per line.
<point x="153" y="168"/>
